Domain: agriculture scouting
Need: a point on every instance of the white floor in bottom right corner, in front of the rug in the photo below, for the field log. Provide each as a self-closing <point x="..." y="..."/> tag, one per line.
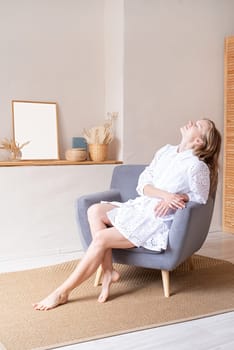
<point x="204" y="334"/>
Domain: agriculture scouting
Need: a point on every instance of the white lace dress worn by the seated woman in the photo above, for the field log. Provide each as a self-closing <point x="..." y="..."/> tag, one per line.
<point x="170" y="171"/>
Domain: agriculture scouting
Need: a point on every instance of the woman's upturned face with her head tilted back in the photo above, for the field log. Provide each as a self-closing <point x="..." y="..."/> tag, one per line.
<point x="195" y="130"/>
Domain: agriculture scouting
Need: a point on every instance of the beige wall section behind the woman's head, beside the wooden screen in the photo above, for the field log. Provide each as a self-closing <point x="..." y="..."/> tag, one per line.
<point x="173" y="69"/>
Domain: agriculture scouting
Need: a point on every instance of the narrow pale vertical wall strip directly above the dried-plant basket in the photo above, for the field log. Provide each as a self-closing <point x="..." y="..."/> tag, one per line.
<point x="114" y="74"/>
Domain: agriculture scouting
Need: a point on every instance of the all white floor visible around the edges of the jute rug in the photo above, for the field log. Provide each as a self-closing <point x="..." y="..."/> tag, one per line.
<point x="211" y="333"/>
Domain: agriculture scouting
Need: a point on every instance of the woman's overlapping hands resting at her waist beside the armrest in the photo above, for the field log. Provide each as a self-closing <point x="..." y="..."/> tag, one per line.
<point x="171" y="201"/>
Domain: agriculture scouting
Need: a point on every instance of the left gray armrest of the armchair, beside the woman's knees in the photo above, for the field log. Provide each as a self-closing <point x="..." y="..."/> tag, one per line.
<point x="82" y="205"/>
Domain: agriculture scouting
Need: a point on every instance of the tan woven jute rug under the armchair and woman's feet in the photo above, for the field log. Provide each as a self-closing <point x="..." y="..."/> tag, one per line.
<point x="136" y="302"/>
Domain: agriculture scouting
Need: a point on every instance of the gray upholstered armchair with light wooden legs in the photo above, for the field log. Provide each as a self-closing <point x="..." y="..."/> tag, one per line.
<point x="187" y="234"/>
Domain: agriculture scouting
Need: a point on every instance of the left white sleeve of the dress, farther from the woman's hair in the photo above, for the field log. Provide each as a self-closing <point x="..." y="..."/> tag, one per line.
<point x="146" y="177"/>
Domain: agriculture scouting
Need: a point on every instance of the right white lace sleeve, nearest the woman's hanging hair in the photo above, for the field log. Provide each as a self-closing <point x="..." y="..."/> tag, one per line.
<point x="199" y="182"/>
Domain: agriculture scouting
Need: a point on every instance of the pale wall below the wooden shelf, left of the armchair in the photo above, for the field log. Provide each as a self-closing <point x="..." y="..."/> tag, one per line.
<point x="37" y="207"/>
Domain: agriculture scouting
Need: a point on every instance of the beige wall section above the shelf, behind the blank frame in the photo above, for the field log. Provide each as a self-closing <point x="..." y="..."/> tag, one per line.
<point x="53" y="50"/>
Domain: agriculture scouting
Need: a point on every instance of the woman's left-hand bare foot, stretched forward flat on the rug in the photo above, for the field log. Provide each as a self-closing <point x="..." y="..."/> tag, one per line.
<point x="54" y="299"/>
